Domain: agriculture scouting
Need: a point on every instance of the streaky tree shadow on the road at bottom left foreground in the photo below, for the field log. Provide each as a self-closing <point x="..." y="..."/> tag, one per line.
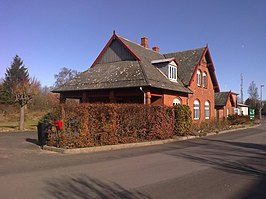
<point x="84" y="187"/>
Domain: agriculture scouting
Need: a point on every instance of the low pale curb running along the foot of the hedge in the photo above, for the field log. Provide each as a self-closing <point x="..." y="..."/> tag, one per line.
<point x="134" y="145"/>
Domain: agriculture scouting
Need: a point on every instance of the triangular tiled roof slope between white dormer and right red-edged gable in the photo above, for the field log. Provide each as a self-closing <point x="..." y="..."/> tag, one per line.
<point x="187" y="62"/>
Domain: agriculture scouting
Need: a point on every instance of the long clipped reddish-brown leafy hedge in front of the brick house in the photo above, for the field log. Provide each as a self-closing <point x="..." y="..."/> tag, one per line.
<point x="86" y="125"/>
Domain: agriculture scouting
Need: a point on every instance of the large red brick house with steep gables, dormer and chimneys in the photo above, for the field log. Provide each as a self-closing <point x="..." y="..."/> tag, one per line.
<point x="127" y="72"/>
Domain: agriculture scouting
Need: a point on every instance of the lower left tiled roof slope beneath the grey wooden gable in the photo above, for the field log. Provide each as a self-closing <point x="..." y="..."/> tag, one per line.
<point x="104" y="76"/>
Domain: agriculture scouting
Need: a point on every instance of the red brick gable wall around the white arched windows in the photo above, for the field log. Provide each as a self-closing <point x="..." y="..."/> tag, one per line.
<point x="202" y="94"/>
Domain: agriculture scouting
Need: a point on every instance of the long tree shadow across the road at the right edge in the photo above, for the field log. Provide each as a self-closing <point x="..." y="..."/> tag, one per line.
<point x="248" y="159"/>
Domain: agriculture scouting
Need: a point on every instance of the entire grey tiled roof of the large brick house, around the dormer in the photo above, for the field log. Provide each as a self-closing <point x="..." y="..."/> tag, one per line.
<point x="136" y="73"/>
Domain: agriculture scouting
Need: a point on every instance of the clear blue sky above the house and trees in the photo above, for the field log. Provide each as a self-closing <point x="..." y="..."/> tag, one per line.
<point x="51" y="34"/>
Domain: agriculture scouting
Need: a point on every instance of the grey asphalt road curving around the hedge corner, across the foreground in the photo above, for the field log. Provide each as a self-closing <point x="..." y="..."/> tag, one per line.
<point x="231" y="165"/>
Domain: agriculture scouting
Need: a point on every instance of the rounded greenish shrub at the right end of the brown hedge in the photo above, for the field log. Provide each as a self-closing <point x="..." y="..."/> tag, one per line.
<point x="183" y="120"/>
